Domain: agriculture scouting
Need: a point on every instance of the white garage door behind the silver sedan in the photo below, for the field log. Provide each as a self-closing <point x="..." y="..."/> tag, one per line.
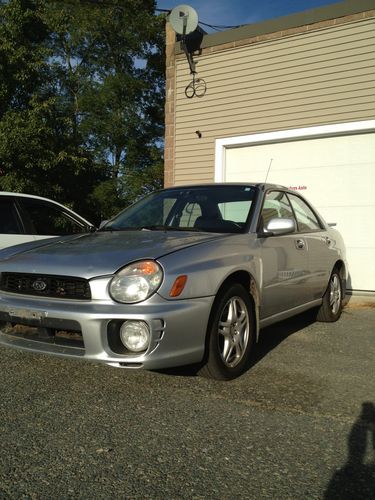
<point x="337" y="174"/>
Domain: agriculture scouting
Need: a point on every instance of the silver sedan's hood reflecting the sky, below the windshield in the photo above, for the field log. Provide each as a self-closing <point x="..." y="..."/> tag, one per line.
<point x="97" y="254"/>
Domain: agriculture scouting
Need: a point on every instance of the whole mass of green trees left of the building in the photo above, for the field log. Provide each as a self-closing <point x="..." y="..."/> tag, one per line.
<point x="81" y="101"/>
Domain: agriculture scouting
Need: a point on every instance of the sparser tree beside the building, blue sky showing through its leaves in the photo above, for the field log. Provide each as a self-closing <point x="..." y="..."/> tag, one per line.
<point x="110" y="69"/>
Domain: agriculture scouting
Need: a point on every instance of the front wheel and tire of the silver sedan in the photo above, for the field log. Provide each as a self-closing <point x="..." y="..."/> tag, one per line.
<point x="230" y="335"/>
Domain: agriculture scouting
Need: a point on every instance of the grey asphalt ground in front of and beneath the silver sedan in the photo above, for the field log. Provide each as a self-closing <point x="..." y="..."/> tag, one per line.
<point x="299" y="424"/>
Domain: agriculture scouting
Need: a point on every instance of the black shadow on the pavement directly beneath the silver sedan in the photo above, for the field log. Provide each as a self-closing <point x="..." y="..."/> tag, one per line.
<point x="269" y="339"/>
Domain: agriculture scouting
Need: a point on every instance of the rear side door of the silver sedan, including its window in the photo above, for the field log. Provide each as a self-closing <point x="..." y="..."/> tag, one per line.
<point x="320" y="253"/>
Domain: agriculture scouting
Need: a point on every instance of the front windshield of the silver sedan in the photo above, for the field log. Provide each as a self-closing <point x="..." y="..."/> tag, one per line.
<point x="221" y="209"/>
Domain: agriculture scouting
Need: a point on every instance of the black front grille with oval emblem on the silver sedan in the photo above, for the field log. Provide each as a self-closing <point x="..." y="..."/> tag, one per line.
<point x="63" y="287"/>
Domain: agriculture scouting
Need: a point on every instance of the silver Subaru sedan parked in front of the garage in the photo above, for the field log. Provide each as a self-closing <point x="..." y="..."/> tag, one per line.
<point x="187" y="275"/>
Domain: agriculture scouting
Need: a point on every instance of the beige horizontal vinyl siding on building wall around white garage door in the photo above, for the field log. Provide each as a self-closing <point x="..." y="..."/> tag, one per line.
<point x="312" y="78"/>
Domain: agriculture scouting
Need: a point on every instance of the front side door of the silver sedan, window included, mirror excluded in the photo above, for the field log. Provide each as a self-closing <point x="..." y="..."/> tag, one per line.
<point x="284" y="260"/>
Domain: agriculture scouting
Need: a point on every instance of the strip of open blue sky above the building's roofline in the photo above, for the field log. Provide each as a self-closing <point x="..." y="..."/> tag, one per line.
<point x="236" y="12"/>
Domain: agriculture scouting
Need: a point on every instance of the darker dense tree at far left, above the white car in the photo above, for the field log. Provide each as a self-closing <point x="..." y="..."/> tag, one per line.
<point x="37" y="153"/>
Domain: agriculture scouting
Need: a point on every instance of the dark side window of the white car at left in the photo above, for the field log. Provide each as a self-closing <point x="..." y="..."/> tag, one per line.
<point x="46" y="219"/>
